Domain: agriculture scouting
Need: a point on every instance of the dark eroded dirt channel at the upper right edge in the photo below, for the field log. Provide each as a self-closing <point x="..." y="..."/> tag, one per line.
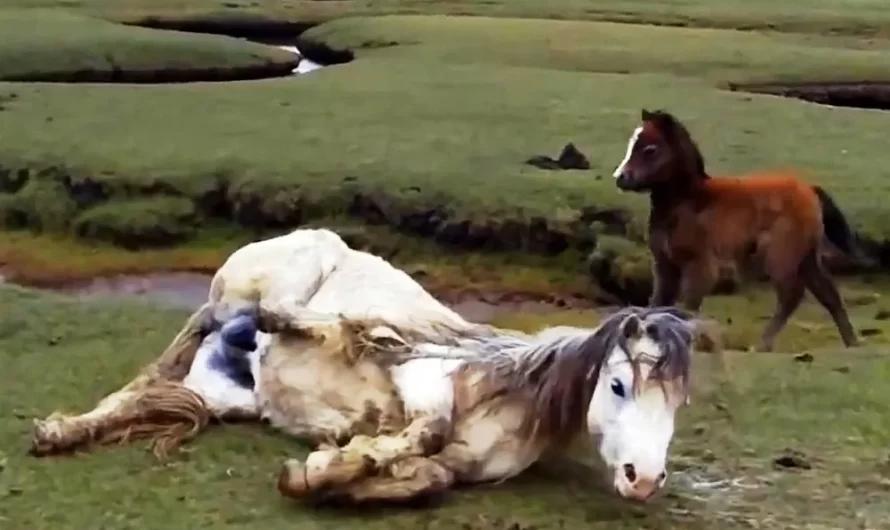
<point x="863" y="95"/>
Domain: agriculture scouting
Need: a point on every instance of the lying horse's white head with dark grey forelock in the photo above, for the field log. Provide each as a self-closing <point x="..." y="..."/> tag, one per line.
<point x="641" y="384"/>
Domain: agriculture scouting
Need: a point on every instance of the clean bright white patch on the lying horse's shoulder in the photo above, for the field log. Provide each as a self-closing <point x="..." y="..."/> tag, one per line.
<point x="425" y="386"/>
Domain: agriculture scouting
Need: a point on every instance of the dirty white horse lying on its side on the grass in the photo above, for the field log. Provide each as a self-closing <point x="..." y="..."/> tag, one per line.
<point x="399" y="395"/>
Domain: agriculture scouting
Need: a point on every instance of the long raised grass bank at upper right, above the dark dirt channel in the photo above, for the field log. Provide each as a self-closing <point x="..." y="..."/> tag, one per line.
<point x="712" y="55"/>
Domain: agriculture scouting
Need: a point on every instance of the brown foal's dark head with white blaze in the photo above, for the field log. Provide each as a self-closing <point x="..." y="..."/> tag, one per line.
<point x="660" y="152"/>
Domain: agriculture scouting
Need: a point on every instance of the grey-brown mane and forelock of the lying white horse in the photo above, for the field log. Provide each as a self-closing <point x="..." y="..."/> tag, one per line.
<point x="561" y="375"/>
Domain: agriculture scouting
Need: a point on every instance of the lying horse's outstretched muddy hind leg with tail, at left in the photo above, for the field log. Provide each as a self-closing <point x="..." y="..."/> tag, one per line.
<point x="154" y="404"/>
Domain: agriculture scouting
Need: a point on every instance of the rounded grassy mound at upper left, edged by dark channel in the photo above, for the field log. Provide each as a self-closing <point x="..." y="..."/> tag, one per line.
<point x="47" y="45"/>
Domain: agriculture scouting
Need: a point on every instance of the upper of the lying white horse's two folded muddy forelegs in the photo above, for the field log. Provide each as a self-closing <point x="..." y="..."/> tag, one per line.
<point x="330" y="467"/>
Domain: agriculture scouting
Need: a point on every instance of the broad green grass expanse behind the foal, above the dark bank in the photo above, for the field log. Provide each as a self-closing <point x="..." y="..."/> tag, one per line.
<point x="433" y="123"/>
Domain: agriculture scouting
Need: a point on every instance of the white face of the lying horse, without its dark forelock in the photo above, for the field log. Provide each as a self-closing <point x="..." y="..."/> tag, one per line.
<point x="636" y="430"/>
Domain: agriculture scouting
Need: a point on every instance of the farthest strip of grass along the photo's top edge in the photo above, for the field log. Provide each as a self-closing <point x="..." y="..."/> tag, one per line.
<point x="862" y="17"/>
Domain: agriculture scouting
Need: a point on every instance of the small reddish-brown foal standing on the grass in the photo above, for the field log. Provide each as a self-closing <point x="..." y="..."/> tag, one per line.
<point x="696" y="223"/>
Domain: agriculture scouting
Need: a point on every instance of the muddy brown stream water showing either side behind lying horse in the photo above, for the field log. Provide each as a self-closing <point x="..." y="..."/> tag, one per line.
<point x="188" y="290"/>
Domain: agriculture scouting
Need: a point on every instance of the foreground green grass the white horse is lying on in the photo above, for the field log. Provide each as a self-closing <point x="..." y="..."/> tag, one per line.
<point x="747" y="409"/>
